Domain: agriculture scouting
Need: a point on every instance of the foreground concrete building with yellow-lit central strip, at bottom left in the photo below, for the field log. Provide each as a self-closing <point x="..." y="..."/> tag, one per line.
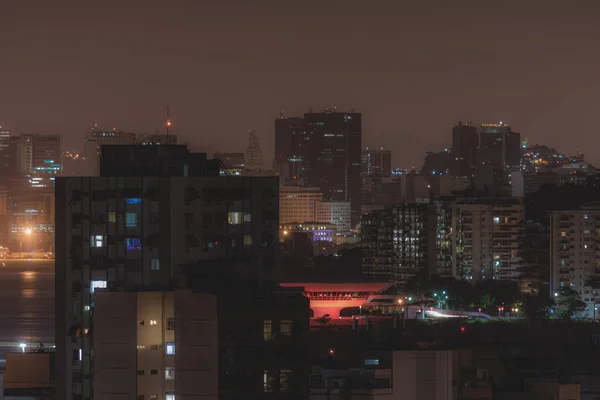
<point x="155" y="345"/>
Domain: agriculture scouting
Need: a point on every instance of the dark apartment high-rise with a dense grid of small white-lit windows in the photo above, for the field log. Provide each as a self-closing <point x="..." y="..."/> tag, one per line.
<point x="414" y="237"/>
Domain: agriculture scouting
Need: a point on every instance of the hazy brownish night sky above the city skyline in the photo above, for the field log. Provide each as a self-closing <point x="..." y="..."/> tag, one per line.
<point x="412" y="68"/>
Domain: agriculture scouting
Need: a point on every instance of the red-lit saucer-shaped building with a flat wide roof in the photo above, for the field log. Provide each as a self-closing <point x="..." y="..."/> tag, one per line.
<point x="331" y="298"/>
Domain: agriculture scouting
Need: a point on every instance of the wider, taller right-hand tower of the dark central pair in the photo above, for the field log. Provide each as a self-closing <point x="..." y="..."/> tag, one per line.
<point x="334" y="156"/>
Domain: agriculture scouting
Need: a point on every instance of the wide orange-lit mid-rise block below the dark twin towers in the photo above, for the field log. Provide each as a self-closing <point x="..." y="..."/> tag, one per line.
<point x="298" y="204"/>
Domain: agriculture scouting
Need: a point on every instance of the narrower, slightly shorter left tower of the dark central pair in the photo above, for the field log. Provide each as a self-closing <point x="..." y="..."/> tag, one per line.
<point x="292" y="146"/>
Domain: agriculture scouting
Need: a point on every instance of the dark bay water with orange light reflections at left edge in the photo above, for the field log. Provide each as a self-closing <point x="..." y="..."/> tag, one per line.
<point x="26" y="302"/>
